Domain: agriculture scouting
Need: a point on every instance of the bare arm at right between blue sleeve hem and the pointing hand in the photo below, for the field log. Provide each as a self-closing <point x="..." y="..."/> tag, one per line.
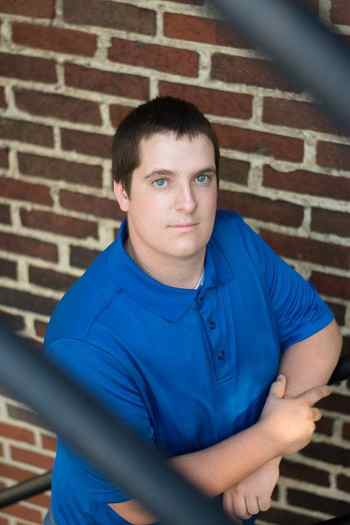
<point x="312" y="361"/>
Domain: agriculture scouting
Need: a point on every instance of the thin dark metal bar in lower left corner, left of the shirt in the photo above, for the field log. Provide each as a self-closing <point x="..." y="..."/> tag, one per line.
<point x="25" y="489"/>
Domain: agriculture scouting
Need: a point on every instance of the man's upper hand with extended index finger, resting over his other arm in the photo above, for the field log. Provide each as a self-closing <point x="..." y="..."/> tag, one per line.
<point x="290" y="422"/>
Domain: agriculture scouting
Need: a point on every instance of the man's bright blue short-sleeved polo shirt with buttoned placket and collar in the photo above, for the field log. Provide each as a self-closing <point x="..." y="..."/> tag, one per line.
<point x="186" y="368"/>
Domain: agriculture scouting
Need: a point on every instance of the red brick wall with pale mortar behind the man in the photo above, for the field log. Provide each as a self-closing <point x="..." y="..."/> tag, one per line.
<point x="69" y="71"/>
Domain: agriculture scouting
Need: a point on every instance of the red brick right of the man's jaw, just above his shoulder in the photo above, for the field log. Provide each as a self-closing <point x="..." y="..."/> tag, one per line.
<point x="262" y="208"/>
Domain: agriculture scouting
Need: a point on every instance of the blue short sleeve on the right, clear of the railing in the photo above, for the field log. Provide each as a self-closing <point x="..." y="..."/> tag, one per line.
<point x="298" y="309"/>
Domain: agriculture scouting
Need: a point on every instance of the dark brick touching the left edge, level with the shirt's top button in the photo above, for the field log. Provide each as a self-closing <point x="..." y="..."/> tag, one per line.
<point x="26" y="301"/>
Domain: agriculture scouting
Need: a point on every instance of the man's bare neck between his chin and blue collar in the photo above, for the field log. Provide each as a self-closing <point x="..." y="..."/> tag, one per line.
<point x="177" y="272"/>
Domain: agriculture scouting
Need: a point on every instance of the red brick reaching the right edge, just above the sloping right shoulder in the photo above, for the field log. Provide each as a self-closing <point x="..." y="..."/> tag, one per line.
<point x="305" y="249"/>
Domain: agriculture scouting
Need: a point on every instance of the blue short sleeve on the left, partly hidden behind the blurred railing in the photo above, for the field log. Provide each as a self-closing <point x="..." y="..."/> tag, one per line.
<point x="103" y="373"/>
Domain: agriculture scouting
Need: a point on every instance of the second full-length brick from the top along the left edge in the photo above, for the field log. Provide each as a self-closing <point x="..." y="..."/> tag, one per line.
<point x="27" y="68"/>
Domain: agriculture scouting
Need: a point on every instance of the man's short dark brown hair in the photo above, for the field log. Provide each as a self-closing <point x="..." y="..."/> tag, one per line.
<point x="162" y="114"/>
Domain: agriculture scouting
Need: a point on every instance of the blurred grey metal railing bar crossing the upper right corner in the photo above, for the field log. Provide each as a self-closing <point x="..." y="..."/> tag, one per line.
<point x="306" y="51"/>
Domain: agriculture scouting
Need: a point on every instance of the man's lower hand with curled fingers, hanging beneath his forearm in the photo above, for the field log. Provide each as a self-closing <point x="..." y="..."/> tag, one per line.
<point x="253" y="494"/>
